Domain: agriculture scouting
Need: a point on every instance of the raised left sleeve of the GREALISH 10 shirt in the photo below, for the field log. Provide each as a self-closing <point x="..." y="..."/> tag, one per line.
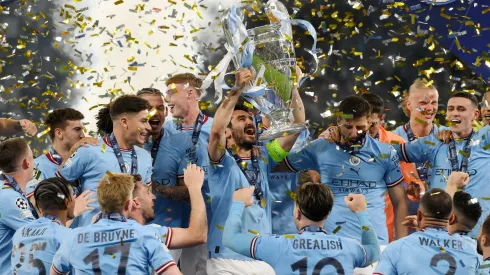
<point x="233" y="237"/>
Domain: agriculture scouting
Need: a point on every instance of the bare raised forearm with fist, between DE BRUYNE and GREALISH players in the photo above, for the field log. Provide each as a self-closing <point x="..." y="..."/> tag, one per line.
<point x="197" y="232"/>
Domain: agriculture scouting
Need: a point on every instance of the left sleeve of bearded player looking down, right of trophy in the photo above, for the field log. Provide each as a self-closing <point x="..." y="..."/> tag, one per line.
<point x="306" y="159"/>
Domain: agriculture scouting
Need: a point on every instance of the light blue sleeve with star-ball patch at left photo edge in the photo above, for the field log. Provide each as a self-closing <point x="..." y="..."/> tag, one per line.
<point x="15" y="211"/>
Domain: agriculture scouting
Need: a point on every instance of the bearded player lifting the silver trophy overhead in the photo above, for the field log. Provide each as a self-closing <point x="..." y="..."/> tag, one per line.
<point x="233" y="166"/>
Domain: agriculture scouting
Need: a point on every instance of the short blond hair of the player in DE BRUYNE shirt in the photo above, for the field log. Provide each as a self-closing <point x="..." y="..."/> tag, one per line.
<point x="113" y="191"/>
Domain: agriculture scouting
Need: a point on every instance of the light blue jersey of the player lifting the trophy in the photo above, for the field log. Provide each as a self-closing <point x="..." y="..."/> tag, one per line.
<point x="225" y="176"/>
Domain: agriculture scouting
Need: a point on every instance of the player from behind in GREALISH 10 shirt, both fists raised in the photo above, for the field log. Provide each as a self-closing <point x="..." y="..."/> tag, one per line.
<point x="312" y="250"/>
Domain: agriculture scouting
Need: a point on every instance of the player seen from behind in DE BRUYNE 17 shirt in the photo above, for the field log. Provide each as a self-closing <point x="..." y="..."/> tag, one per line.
<point x="112" y="243"/>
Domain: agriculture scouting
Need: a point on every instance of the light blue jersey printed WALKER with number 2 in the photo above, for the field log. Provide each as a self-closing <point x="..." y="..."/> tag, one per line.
<point x="432" y="251"/>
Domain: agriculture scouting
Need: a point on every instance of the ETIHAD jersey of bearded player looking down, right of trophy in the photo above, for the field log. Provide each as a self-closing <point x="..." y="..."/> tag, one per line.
<point x="370" y="172"/>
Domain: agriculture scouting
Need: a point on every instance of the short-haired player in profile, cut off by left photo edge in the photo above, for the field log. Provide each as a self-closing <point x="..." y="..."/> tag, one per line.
<point x="17" y="166"/>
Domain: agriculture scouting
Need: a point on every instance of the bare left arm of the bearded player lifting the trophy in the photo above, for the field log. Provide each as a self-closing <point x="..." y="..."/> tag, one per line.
<point x="217" y="139"/>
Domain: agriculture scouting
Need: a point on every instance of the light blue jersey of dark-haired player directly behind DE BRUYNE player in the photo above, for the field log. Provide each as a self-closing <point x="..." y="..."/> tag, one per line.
<point x="90" y="164"/>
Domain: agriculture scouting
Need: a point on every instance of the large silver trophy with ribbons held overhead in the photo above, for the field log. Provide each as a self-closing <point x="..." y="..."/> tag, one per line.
<point x="270" y="50"/>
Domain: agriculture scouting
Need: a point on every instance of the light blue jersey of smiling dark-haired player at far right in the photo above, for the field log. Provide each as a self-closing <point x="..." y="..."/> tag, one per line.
<point x="437" y="153"/>
